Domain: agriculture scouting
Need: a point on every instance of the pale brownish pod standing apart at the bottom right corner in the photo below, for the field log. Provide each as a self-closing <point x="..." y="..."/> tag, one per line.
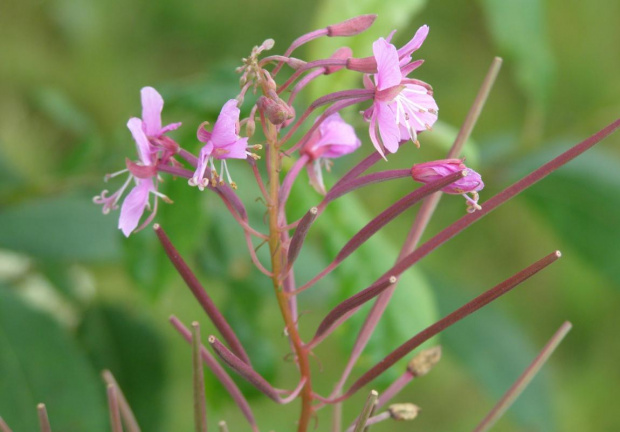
<point x="522" y="382"/>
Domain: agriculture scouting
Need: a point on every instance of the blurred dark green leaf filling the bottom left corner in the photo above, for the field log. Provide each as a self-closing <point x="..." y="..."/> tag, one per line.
<point x="40" y="363"/>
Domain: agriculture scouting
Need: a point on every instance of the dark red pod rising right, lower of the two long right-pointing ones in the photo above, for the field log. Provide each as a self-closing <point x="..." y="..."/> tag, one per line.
<point x="447" y="321"/>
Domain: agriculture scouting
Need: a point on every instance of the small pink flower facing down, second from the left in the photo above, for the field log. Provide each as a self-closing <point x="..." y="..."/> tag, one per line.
<point x="223" y="143"/>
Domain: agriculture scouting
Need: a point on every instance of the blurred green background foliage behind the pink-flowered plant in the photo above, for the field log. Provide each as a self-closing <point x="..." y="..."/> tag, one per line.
<point x="76" y="297"/>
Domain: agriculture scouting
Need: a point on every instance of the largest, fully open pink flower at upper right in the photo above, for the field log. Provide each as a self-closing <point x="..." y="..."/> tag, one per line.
<point x="402" y="107"/>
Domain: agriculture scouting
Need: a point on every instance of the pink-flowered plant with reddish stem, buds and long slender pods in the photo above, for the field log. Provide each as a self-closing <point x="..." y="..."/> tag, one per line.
<point x="400" y="111"/>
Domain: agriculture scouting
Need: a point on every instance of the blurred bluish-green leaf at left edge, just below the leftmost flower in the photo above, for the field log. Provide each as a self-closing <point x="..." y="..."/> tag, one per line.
<point x="64" y="228"/>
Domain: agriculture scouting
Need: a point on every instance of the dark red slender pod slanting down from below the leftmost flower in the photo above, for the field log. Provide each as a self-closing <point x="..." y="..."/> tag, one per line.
<point x="201" y="295"/>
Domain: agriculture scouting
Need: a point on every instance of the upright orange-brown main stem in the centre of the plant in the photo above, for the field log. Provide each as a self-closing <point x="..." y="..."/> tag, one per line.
<point x="278" y="264"/>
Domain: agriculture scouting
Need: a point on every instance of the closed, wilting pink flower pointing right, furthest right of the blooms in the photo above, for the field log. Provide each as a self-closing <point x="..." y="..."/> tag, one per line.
<point x="472" y="183"/>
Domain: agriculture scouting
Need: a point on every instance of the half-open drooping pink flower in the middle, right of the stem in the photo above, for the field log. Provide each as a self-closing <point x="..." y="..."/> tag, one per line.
<point x="334" y="138"/>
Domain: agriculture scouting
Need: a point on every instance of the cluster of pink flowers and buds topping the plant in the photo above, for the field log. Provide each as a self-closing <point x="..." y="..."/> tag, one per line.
<point x="401" y="108"/>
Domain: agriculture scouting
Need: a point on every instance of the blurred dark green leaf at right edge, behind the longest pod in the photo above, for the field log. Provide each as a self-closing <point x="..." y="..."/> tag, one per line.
<point x="581" y="203"/>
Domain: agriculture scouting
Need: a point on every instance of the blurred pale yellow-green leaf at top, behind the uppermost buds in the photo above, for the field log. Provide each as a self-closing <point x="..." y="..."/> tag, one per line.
<point x="392" y="14"/>
